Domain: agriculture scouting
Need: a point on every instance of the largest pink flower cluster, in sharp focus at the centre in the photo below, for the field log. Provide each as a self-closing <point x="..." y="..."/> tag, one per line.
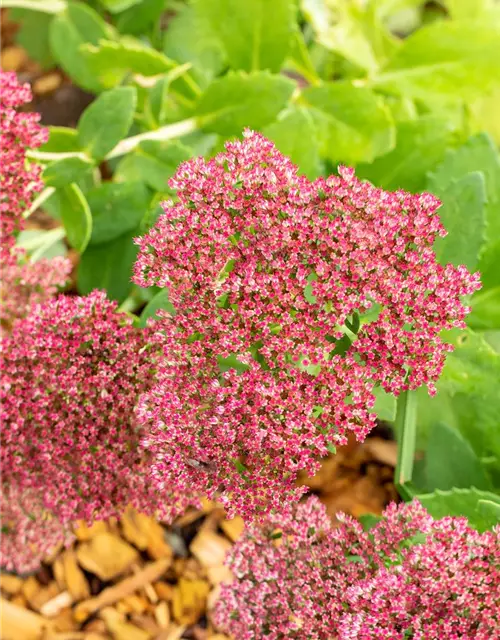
<point x="269" y="275"/>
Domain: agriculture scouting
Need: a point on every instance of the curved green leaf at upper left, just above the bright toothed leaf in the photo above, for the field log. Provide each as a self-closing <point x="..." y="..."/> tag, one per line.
<point x="76" y="25"/>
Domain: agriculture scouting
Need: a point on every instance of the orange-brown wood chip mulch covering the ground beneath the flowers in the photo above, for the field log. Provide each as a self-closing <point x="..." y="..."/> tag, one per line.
<point x="138" y="579"/>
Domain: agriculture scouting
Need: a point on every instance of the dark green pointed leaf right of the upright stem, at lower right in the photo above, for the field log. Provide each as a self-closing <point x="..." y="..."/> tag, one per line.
<point x="463" y="468"/>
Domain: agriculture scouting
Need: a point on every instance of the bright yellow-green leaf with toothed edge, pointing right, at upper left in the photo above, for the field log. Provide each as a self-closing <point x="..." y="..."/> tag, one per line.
<point x="111" y="61"/>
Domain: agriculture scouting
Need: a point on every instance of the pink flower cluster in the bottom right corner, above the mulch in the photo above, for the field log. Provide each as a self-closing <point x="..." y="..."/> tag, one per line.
<point x="409" y="576"/>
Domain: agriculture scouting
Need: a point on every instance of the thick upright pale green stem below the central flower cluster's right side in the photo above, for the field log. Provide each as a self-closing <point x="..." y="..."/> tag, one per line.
<point x="406" y="429"/>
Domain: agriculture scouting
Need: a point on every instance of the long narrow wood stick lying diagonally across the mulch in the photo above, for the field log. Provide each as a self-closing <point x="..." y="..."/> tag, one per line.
<point x="150" y="573"/>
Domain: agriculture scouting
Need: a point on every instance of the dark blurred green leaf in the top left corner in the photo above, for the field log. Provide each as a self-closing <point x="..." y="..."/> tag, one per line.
<point x="33" y="34"/>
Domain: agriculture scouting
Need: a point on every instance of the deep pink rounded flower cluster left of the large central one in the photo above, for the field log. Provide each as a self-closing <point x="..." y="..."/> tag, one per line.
<point x="70" y="376"/>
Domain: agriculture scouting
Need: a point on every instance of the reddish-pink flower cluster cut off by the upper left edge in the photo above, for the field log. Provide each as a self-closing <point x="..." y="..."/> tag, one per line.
<point x="19" y="181"/>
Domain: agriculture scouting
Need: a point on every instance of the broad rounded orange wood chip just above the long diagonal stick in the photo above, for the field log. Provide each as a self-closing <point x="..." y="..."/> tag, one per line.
<point x="106" y="555"/>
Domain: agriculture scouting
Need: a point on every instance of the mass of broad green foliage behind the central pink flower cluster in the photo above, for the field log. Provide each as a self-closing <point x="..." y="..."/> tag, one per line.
<point x="408" y="97"/>
